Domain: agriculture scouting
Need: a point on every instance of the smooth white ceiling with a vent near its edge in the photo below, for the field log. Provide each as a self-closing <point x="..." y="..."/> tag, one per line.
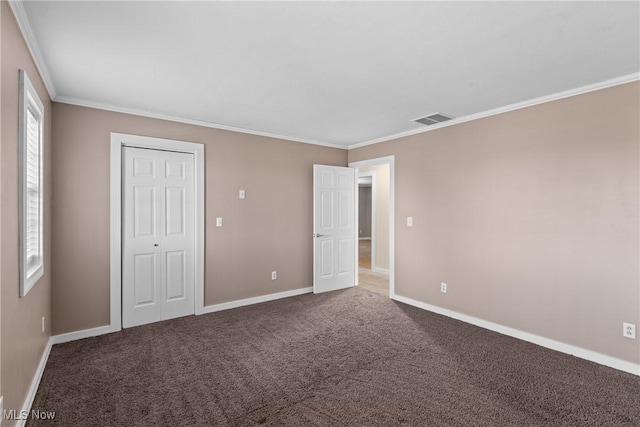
<point x="339" y="73"/>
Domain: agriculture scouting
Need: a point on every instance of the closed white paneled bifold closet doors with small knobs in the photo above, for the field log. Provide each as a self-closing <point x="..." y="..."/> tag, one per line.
<point x="158" y="239"/>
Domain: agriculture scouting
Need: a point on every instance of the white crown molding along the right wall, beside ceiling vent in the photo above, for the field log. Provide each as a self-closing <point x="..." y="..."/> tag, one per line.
<point x="507" y="108"/>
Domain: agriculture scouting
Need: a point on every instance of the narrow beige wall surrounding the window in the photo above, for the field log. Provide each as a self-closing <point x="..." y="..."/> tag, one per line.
<point x="22" y="339"/>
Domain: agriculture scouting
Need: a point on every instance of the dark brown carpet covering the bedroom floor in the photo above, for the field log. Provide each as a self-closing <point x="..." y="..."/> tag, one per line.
<point x="352" y="358"/>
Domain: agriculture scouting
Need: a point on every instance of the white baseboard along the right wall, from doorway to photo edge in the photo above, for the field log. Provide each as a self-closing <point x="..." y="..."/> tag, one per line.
<point x="602" y="359"/>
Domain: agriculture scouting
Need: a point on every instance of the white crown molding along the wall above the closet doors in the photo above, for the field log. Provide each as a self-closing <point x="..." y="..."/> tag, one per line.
<point x="203" y="123"/>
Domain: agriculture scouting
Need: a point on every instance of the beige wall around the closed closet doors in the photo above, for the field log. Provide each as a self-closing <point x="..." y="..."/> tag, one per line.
<point x="269" y="230"/>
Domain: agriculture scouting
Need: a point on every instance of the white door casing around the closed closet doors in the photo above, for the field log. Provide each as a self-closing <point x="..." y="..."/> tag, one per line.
<point x="118" y="140"/>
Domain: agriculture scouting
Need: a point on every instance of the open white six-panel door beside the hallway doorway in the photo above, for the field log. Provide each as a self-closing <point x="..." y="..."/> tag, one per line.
<point x="334" y="227"/>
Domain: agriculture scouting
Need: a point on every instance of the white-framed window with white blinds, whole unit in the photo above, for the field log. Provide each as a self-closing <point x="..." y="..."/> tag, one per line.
<point x="31" y="182"/>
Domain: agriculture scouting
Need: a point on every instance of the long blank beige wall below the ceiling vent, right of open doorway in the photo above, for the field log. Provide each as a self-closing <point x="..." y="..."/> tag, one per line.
<point x="531" y="217"/>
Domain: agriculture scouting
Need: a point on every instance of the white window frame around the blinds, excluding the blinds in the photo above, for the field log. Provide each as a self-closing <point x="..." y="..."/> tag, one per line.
<point x="30" y="103"/>
